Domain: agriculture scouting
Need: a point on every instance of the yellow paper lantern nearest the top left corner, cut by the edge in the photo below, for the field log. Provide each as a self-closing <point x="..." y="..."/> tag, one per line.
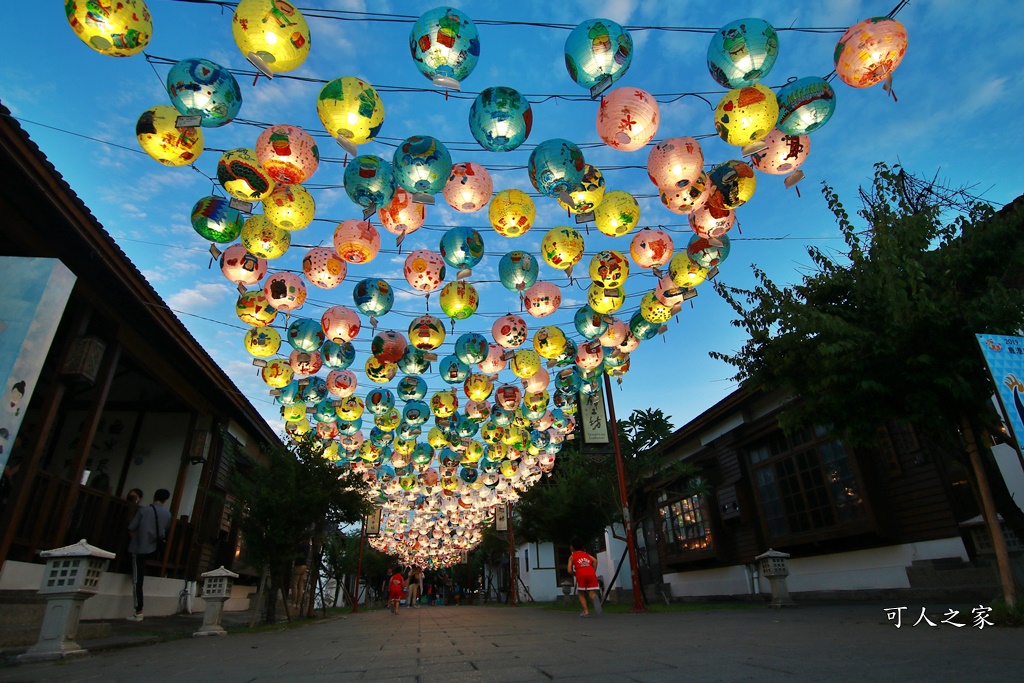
<point x="117" y="29"/>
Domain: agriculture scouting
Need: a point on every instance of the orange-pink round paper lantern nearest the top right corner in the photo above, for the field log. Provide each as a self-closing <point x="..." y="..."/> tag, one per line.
<point x="870" y="52"/>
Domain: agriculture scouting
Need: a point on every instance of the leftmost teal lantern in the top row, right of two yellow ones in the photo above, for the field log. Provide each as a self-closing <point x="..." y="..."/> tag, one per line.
<point x="446" y="47"/>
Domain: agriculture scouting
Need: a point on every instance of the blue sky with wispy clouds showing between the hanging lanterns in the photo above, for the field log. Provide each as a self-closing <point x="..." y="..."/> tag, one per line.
<point x="955" y="116"/>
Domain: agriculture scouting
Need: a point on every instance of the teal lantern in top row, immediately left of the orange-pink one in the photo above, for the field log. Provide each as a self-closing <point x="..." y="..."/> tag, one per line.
<point x="743" y="53"/>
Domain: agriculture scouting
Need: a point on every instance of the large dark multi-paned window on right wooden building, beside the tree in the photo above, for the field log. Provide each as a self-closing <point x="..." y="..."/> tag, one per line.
<point x="805" y="484"/>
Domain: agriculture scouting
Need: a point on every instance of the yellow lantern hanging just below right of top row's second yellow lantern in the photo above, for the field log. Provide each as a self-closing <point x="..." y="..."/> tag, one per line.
<point x="351" y="110"/>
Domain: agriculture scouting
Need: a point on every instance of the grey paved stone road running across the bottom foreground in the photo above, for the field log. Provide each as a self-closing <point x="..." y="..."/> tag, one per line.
<point x="451" y="645"/>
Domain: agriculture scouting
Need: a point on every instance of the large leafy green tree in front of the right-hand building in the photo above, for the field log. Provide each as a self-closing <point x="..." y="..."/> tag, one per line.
<point x="886" y="331"/>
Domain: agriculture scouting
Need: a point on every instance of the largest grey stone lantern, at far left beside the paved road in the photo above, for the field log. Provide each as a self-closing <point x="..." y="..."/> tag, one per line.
<point x="71" y="576"/>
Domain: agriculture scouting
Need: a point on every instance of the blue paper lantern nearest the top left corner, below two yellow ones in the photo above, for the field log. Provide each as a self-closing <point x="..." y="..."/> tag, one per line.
<point x="200" y="88"/>
